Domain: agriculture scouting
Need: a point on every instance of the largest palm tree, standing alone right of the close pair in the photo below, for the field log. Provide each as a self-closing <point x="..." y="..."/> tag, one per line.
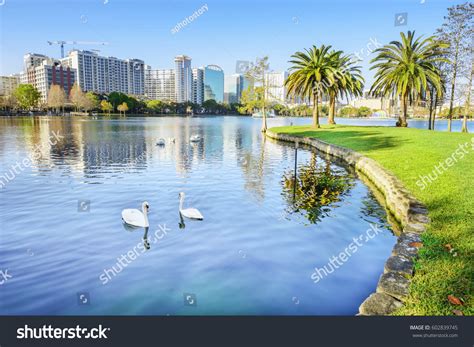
<point x="407" y="68"/>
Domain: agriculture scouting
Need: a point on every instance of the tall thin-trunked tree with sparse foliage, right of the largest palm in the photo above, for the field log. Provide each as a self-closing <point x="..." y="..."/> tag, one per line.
<point x="457" y="31"/>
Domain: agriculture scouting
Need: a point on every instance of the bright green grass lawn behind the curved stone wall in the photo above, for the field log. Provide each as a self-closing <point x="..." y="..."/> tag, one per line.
<point x="409" y="153"/>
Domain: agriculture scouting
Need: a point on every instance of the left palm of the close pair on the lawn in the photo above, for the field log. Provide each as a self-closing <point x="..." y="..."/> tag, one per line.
<point x="312" y="72"/>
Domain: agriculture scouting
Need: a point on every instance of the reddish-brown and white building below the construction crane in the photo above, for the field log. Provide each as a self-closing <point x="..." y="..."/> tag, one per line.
<point x="44" y="73"/>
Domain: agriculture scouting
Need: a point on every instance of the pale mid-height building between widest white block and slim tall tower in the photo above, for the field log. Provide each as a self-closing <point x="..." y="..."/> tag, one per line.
<point x="160" y="84"/>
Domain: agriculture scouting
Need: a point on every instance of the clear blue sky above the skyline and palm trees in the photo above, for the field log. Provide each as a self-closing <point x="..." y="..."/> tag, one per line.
<point x="228" y="31"/>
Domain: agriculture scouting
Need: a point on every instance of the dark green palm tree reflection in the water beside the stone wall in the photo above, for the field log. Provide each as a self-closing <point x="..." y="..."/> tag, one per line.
<point x="319" y="186"/>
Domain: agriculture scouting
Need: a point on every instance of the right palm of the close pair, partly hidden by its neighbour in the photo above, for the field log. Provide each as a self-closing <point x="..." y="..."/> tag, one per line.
<point x="348" y="81"/>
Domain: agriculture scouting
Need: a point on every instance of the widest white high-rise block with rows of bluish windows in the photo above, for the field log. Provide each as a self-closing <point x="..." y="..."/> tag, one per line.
<point x="107" y="74"/>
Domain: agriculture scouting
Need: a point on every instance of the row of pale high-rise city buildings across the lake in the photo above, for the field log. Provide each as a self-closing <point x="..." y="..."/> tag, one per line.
<point x="104" y="75"/>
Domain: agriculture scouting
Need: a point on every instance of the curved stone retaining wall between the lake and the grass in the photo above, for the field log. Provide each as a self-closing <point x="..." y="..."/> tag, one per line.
<point x="392" y="288"/>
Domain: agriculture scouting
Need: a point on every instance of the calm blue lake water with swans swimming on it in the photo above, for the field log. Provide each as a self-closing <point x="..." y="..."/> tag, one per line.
<point x="61" y="231"/>
